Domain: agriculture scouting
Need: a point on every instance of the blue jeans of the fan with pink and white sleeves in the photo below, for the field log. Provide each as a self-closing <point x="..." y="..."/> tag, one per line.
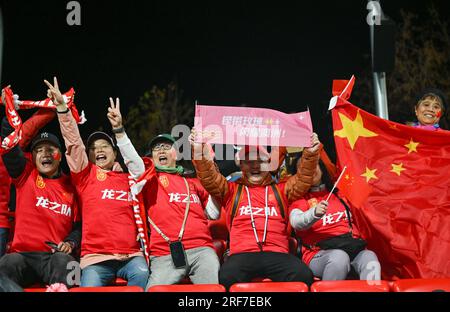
<point x="134" y="270"/>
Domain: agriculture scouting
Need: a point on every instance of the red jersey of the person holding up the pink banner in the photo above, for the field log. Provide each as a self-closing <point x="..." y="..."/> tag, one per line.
<point x="242" y="237"/>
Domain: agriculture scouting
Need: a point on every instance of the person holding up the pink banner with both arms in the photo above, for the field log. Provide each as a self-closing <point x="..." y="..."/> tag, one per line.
<point x="257" y="215"/>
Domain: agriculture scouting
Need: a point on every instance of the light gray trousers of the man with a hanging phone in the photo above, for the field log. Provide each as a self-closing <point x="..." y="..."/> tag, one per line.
<point x="202" y="268"/>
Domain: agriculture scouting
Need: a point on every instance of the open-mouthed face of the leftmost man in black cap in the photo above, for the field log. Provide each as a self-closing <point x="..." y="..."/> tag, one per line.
<point x="47" y="158"/>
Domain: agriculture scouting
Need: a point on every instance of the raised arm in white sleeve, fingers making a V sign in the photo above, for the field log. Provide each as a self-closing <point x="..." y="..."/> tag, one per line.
<point x="132" y="160"/>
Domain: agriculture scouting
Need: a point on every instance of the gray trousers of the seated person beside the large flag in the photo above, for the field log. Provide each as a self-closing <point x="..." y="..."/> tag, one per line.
<point x="334" y="264"/>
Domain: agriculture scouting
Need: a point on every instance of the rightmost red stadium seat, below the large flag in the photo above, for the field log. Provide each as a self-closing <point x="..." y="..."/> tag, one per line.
<point x="421" y="285"/>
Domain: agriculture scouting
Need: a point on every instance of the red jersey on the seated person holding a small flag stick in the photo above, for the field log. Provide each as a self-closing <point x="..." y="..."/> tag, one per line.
<point x="333" y="223"/>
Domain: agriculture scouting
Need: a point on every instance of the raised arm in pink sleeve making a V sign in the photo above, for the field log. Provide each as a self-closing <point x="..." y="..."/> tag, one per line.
<point x="75" y="150"/>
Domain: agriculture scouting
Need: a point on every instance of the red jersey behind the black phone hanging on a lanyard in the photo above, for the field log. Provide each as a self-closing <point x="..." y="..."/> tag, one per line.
<point x="165" y="198"/>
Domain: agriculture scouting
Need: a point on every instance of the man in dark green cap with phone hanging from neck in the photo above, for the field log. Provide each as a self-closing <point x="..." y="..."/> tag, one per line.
<point x="180" y="241"/>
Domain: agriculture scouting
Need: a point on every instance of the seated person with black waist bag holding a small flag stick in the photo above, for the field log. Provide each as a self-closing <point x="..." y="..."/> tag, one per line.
<point x="331" y="241"/>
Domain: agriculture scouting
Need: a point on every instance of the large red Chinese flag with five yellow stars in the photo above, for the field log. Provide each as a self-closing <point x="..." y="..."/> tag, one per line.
<point x="404" y="174"/>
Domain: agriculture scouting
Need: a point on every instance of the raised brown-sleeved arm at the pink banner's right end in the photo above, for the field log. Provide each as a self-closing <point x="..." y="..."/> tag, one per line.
<point x="299" y="184"/>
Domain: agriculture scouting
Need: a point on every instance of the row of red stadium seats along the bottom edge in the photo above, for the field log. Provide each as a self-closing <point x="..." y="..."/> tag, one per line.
<point x="405" y="285"/>
